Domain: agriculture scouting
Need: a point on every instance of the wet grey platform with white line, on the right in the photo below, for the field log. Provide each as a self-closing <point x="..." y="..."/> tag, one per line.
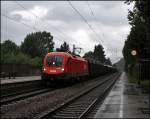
<point x="125" y="100"/>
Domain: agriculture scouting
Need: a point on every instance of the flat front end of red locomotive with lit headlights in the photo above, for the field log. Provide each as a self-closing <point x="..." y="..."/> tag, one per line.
<point x="53" y="67"/>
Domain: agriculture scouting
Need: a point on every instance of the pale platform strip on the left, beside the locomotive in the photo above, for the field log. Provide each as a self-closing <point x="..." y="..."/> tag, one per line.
<point x="19" y="79"/>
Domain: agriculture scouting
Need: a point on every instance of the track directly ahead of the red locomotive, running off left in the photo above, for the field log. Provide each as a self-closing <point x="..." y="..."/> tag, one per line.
<point x="16" y="97"/>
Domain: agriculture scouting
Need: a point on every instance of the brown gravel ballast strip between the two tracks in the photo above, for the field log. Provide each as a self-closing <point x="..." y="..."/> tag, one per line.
<point x="34" y="106"/>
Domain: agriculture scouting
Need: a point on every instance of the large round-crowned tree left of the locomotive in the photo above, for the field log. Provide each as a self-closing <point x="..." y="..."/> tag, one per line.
<point x="37" y="44"/>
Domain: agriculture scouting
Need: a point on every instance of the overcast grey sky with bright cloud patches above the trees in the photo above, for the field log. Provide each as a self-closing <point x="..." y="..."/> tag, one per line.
<point x="108" y="19"/>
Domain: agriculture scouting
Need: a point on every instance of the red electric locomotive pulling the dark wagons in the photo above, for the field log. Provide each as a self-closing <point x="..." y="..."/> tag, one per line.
<point x="62" y="66"/>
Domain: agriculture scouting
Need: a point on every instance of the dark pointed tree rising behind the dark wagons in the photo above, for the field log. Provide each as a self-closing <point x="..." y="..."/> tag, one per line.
<point x="99" y="53"/>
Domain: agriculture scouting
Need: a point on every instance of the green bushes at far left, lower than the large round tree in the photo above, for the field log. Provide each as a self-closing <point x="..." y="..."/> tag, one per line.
<point x="11" y="54"/>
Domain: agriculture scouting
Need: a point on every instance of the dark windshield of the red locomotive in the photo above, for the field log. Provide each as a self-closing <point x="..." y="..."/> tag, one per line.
<point x="54" y="61"/>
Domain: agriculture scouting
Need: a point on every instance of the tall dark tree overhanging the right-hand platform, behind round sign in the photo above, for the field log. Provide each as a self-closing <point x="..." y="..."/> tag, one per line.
<point x="138" y="39"/>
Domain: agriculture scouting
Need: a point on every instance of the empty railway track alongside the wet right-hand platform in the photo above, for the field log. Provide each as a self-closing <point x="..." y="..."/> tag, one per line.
<point x="80" y="105"/>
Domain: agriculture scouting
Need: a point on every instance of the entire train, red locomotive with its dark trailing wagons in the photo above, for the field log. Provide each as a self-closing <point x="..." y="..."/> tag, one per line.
<point x="65" y="67"/>
